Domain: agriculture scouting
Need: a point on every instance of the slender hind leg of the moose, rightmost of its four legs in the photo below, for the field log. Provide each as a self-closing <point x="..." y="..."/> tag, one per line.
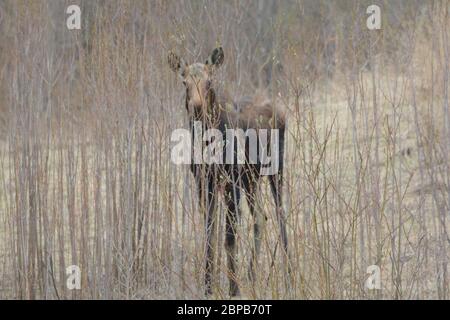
<point x="276" y="187"/>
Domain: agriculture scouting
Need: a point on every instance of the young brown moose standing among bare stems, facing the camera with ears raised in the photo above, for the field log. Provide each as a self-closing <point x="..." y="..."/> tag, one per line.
<point x="206" y="104"/>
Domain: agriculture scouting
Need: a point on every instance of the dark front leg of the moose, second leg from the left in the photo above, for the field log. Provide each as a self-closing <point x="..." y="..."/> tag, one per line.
<point x="232" y="196"/>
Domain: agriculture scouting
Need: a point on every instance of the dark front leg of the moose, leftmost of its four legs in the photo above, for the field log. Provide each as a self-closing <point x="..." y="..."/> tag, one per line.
<point x="207" y="200"/>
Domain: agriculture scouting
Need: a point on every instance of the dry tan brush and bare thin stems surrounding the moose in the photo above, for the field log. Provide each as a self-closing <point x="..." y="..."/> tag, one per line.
<point x="85" y="124"/>
